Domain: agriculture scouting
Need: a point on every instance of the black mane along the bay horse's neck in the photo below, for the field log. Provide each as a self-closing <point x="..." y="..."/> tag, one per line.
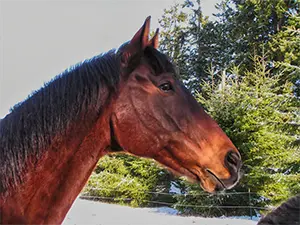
<point x="32" y="124"/>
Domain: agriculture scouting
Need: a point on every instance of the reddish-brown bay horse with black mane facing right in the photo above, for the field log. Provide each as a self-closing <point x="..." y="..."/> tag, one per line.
<point x="129" y="99"/>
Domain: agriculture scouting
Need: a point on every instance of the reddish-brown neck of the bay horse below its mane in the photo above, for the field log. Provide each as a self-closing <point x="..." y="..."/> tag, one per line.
<point x="50" y="187"/>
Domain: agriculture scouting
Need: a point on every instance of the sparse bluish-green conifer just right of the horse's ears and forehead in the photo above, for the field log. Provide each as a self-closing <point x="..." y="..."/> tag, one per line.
<point x="183" y="39"/>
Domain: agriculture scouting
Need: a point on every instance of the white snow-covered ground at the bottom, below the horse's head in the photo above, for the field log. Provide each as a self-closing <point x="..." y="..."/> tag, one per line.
<point x="84" y="212"/>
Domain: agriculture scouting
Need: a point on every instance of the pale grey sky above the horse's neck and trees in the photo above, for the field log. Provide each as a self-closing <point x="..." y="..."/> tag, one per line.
<point x="40" y="38"/>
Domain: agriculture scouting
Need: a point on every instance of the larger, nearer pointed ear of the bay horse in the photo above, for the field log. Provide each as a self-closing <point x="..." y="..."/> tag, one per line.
<point x="139" y="41"/>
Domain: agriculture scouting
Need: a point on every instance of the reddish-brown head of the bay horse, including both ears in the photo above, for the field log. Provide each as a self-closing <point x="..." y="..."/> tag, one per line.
<point x="155" y="116"/>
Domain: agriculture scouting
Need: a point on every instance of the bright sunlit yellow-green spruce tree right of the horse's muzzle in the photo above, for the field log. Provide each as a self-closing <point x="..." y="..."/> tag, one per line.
<point x="262" y="118"/>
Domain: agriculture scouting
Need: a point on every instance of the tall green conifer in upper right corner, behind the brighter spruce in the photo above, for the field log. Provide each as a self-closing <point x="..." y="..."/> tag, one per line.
<point x="255" y="27"/>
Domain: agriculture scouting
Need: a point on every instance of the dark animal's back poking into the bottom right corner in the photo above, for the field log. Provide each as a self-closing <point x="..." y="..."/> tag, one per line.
<point x="288" y="213"/>
